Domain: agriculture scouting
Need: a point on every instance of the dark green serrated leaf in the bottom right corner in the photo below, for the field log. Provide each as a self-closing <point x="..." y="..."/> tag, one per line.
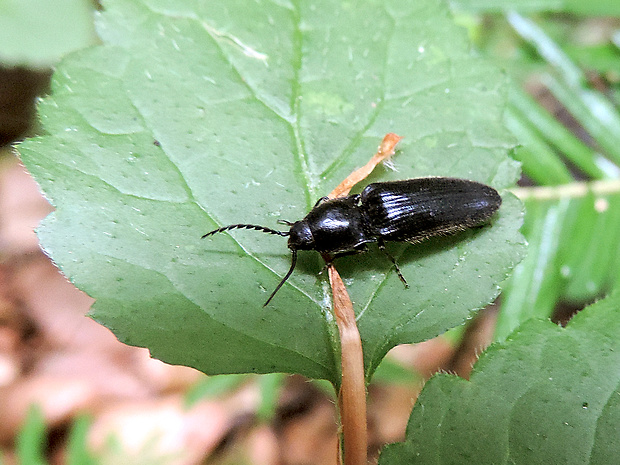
<point x="546" y="395"/>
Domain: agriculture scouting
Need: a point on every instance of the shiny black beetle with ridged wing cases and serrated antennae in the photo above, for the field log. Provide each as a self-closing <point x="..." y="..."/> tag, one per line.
<point x="411" y="211"/>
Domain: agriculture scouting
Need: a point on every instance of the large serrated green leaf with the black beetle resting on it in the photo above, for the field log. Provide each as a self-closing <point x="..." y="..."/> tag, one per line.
<point x="190" y="117"/>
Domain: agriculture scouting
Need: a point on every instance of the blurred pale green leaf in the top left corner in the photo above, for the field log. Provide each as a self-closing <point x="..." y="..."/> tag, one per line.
<point x="38" y="33"/>
